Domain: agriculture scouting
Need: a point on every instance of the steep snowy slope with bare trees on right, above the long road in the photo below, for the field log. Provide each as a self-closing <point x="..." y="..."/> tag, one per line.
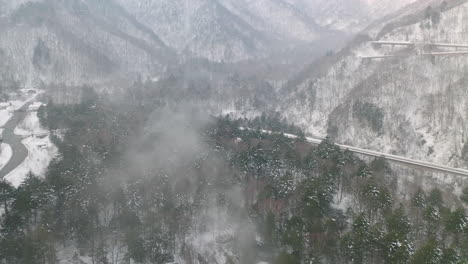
<point x="412" y="105"/>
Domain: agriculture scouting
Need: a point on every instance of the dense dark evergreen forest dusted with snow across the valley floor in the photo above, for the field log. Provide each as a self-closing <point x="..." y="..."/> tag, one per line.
<point x="137" y="186"/>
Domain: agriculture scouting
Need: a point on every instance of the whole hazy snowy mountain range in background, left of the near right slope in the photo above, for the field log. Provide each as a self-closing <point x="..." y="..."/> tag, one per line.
<point x="87" y="41"/>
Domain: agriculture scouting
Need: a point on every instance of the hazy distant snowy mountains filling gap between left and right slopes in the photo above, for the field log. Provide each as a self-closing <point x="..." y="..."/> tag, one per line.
<point x="235" y="30"/>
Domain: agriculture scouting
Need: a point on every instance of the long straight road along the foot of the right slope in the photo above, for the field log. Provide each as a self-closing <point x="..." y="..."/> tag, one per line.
<point x="396" y="158"/>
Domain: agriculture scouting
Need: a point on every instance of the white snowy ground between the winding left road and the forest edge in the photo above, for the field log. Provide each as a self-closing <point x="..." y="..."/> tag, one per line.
<point x="41" y="150"/>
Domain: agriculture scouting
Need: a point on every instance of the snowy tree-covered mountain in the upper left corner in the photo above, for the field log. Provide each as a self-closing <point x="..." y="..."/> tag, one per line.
<point x="77" y="42"/>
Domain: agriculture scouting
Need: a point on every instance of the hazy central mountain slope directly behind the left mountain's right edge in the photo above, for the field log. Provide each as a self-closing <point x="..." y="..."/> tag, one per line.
<point x="200" y="27"/>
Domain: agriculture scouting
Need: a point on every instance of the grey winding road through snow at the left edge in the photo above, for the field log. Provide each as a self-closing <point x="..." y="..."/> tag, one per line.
<point x="20" y="152"/>
